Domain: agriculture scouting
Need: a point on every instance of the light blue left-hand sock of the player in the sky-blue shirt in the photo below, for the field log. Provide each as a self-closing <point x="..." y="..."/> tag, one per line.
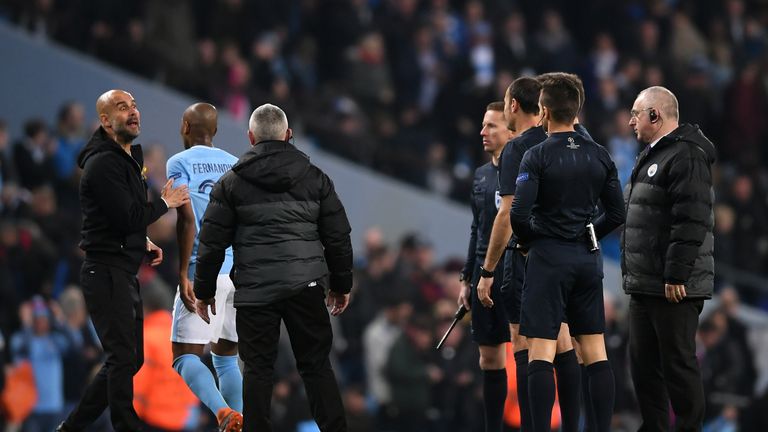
<point x="200" y="380"/>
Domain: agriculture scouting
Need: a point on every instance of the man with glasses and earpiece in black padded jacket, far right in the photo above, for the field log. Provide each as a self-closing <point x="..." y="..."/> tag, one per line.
<point x="667" y="260"/>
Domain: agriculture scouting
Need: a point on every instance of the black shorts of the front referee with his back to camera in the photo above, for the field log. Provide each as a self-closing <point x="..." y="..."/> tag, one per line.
<point x="562" y="279"/>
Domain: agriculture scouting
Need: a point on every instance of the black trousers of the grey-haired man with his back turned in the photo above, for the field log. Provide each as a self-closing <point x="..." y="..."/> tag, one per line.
<point x="309" y="329"/>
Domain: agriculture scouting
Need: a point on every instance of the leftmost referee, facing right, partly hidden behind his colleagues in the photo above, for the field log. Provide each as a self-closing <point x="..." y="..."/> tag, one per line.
<point x="489" y="326"/>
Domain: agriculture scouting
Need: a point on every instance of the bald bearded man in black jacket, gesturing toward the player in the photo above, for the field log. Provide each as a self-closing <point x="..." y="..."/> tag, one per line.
<point x="116" y="212"/>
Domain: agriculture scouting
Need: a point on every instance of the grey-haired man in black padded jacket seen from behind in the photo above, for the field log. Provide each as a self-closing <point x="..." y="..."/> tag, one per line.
<point x="290" y="236"/>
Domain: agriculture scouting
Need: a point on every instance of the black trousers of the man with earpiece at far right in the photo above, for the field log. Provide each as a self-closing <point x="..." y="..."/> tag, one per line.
<point x="662" y="350"/>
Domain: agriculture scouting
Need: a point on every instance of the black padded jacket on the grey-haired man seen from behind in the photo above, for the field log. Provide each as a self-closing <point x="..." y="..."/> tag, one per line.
<point x="287" y="226"/>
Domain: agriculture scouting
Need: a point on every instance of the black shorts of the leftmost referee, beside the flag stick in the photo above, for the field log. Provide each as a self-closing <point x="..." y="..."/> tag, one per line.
<point x="489" y="325"/>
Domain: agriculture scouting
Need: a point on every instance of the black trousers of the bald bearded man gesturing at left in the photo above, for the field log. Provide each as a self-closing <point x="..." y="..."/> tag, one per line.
<point x="114" y="302"/>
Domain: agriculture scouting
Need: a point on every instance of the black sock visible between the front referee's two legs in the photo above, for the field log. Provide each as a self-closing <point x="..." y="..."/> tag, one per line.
<point x="568" y="374"/>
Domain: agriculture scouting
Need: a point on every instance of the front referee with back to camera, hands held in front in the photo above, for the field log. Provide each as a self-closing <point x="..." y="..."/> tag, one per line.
<point x="559" y="185"/>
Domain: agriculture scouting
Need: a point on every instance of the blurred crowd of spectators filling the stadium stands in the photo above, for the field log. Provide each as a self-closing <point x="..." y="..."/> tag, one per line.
<point x="399" y="86"/>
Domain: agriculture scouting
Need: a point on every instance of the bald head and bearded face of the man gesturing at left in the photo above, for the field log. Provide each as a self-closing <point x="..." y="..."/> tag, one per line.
<point x="119" y="116"/>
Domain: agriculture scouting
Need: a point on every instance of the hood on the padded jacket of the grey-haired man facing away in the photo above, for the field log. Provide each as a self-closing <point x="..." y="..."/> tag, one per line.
<point x="273" y="165"/>
